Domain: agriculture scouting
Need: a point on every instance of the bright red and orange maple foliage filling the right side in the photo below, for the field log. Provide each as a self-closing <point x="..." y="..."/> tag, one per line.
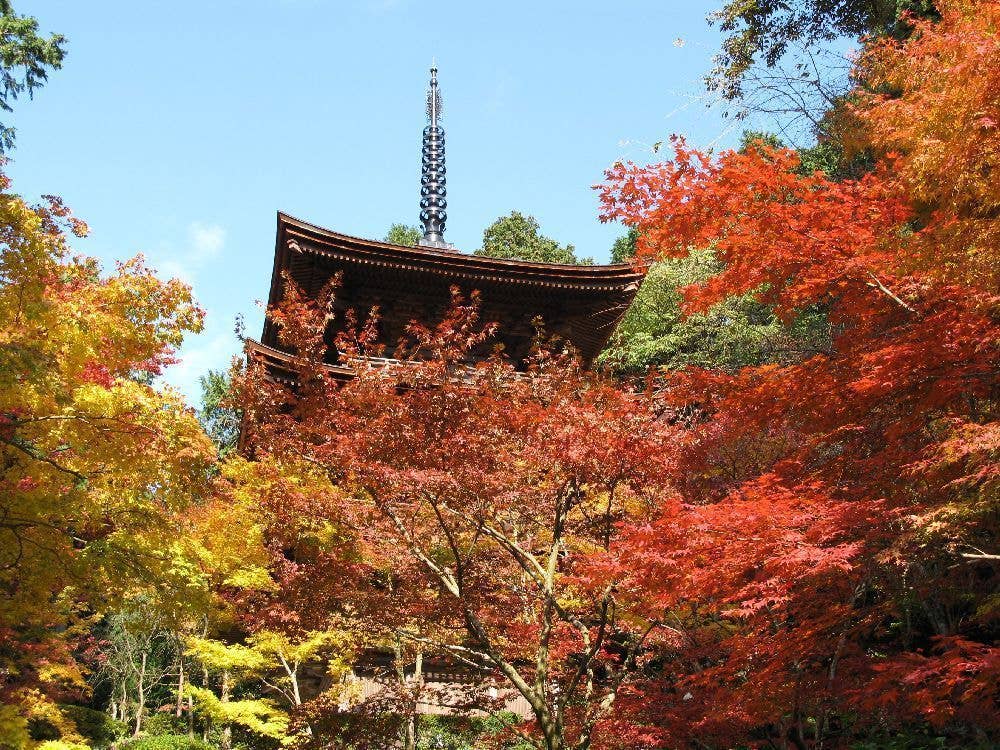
<point x="833" y="548"/>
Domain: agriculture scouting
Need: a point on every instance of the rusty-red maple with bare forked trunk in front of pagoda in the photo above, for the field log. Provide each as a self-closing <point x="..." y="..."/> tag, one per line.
<point x="461" y="499"/>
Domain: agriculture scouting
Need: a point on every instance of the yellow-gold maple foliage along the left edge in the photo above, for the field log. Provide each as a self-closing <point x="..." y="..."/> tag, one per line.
<point x="95" y="464"/>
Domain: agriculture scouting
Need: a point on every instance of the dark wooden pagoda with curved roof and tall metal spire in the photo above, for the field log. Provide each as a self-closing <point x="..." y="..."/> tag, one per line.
<point x="582" y="304"/>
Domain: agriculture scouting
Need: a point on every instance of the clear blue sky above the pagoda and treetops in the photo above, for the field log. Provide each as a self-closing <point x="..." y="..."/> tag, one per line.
<point x="178" y="129"/>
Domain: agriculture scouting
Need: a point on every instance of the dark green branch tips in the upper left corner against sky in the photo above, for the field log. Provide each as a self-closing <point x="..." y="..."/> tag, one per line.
<point x="25" y="57"/>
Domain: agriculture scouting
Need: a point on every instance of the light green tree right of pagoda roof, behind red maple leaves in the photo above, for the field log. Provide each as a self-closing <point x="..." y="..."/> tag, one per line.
<point x="735" y="333"/>
